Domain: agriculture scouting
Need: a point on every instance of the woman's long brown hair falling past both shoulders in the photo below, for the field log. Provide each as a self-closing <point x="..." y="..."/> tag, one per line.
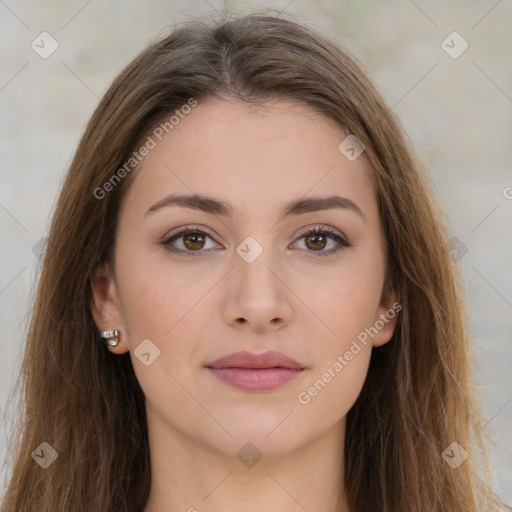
<point x="86" y="403"/>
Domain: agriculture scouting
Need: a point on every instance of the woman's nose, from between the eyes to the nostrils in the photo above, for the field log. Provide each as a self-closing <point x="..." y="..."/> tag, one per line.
<point x="257" y="297"/>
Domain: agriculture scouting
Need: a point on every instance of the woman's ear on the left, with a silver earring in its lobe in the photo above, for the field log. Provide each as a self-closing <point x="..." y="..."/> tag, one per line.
<point x="106" y="307"/>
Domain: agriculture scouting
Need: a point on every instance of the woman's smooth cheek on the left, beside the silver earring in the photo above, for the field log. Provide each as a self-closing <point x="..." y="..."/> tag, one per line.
<point x="169" y="309"/>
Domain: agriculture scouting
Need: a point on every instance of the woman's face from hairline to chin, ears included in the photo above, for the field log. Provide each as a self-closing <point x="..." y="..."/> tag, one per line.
<point x="249" y="278"/>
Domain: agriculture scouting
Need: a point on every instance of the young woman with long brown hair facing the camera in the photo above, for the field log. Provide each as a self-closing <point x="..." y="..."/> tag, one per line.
<point x="247" y="299"/>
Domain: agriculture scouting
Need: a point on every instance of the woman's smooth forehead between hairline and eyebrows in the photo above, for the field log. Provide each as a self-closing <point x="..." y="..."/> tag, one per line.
<point x="251" y="157"/>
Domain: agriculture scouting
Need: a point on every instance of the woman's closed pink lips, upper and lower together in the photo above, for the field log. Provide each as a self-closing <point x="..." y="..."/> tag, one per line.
<point x="255" y="372"/>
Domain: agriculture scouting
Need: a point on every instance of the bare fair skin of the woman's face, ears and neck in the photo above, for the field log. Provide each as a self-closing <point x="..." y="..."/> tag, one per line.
<point x="197" y="309"/>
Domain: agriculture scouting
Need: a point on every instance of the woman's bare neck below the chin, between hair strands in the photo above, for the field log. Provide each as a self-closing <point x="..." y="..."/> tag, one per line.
<point x="187" y="476"/>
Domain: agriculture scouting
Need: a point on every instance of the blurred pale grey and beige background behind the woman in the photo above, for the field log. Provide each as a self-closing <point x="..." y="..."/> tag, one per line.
<point x="444" y="67"/>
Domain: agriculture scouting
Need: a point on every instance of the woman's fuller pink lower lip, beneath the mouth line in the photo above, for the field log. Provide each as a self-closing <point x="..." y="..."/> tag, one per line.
<point x="256" y="379"/>
